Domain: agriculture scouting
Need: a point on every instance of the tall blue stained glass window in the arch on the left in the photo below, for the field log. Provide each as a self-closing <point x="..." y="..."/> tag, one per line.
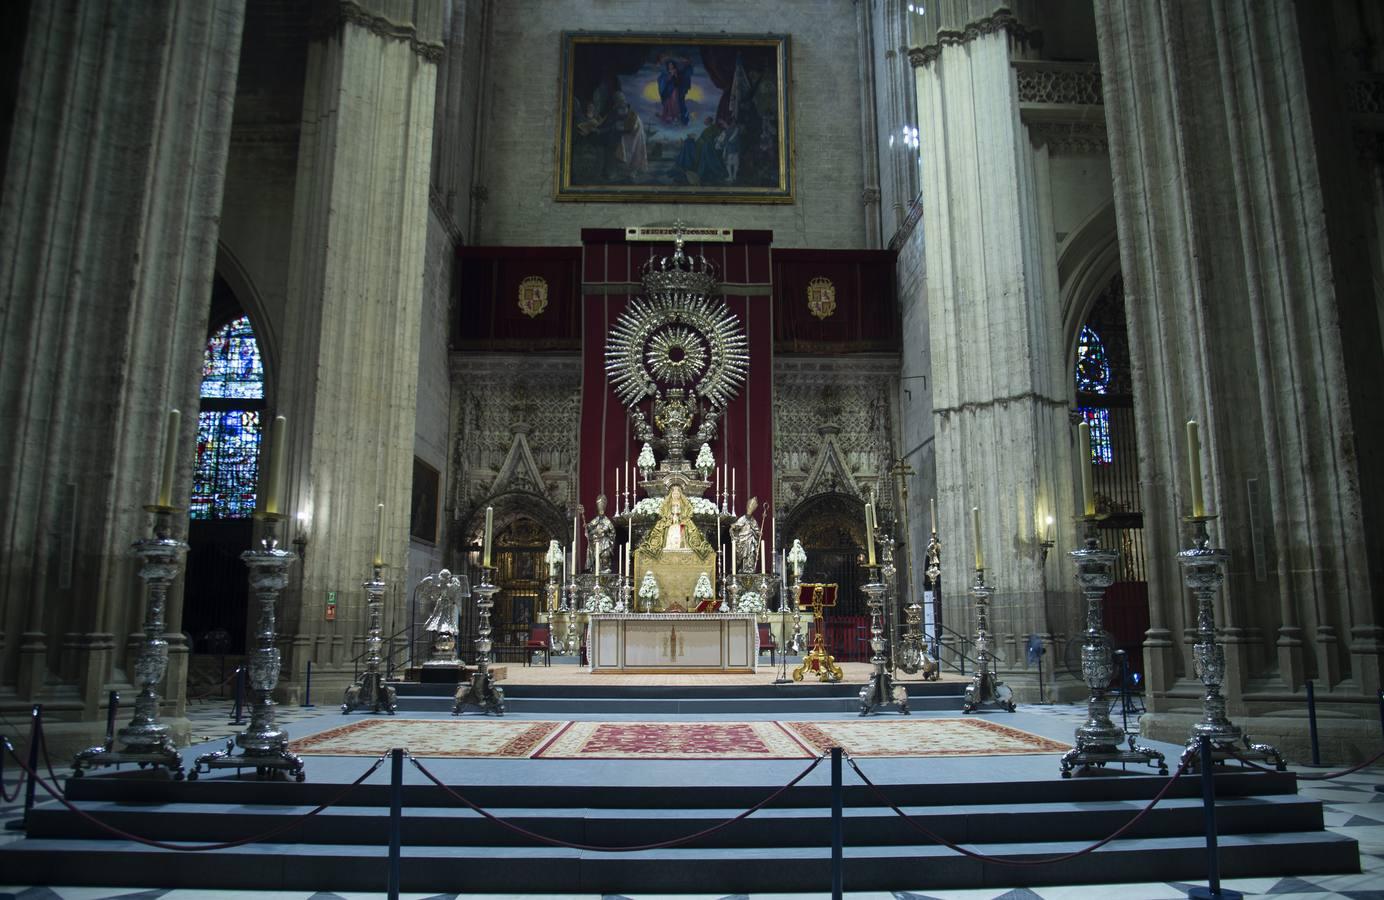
<point x="226" y="477"/>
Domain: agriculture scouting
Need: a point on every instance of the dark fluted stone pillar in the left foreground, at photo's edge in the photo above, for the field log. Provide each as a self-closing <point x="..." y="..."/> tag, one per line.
<point x="109" y="231"/>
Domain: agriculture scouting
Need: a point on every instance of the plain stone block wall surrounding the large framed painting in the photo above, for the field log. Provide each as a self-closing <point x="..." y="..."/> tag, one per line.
<point x="518" y="170"/>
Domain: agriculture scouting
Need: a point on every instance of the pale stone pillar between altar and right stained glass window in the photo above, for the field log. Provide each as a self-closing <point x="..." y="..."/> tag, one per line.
<point x="1000" y="377"/>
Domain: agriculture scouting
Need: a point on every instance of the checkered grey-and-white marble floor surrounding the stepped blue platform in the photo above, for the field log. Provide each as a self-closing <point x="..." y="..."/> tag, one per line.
<point x="1353" y="807"/>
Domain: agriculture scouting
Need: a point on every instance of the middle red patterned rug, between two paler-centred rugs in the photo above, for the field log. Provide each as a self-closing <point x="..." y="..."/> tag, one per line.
<point x="675" y="740"/>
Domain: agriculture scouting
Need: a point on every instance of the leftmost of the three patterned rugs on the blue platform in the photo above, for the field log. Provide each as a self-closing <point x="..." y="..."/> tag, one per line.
<point x="431" y="737"/>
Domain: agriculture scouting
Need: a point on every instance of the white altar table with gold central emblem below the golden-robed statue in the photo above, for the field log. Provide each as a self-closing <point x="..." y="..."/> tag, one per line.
<point x="673" y="643"/>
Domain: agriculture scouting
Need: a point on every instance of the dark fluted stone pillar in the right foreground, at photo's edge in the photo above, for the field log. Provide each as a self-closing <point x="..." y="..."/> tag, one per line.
<point x="1238" y="289"/>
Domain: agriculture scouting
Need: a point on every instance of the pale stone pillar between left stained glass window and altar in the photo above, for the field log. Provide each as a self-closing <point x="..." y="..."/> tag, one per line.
<point x="356" y="282"/>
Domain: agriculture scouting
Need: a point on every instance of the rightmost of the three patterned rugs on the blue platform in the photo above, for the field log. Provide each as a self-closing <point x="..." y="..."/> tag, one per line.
<point x="922" y="737"/>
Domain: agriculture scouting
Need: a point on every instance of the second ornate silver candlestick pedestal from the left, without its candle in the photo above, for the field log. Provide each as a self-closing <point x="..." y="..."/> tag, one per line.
<point x="264" y="746"/>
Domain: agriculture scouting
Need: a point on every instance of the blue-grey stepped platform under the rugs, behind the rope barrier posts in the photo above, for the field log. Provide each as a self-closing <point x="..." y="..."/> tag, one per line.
<point x="1007" y="807"/>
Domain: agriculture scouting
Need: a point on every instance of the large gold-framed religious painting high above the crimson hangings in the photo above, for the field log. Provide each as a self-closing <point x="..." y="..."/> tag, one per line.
<point x="691" y="118"/>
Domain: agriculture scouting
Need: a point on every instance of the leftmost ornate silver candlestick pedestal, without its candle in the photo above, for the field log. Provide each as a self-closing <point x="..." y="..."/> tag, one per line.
<point x="146" y="739"/>
